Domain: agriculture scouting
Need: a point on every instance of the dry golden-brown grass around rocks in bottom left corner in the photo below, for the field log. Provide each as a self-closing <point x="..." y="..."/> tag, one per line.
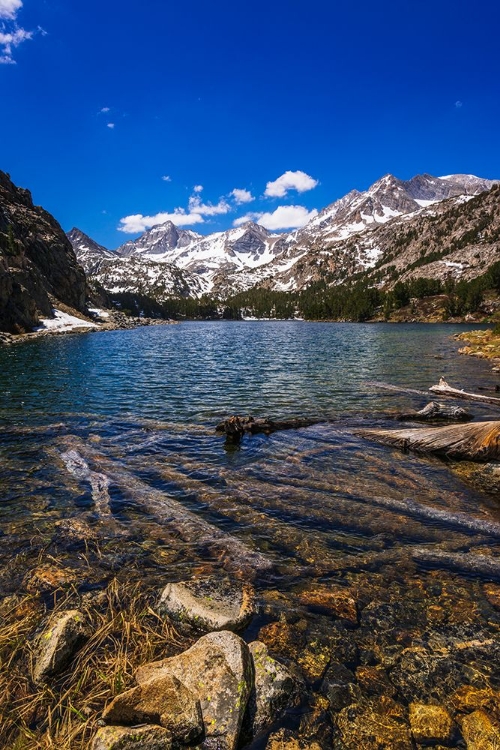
<point x="64" y="713"/>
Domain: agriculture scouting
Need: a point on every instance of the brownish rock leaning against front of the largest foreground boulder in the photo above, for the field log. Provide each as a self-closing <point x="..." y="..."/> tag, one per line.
<point x="164" y="701"/>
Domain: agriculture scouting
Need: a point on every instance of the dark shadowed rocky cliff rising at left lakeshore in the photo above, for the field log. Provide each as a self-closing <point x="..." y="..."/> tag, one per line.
<point x="38" y="266"/>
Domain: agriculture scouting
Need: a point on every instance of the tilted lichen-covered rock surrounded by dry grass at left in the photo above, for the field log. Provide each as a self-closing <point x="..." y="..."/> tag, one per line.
<point x="63" y="635"/>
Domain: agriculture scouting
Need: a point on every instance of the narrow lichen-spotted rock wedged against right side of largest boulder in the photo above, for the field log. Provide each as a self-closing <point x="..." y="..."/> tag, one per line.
<point x="273" y="688"/>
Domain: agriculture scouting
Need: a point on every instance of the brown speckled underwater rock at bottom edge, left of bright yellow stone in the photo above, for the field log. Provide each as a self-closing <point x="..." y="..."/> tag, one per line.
<point x="373" y="725"/>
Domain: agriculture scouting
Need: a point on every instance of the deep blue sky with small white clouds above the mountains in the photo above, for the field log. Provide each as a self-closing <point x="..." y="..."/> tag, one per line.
<point x="120" y="114"/>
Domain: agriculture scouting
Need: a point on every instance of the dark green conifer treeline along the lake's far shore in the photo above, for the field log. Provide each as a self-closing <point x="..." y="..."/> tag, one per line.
<point x="356" y="300"/>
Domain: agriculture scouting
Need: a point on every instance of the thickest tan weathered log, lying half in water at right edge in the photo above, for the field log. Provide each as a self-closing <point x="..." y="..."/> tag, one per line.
<point x="472" y="442"/>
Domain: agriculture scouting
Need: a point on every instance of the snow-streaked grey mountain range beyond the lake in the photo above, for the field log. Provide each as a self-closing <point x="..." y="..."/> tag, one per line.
<point x="344" y="237"/>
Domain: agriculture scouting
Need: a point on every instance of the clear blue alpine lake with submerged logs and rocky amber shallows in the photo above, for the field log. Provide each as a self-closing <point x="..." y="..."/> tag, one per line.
<point x="111" y="468"/>
